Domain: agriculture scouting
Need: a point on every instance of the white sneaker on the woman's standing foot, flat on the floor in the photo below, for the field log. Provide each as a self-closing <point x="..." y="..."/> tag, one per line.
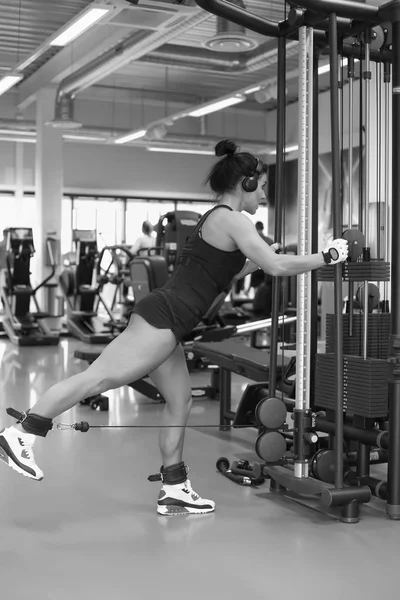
<point x="181" y="499"/>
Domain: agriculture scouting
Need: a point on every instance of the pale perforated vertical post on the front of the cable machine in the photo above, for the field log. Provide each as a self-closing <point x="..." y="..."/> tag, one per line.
<point x="303" y="332"/>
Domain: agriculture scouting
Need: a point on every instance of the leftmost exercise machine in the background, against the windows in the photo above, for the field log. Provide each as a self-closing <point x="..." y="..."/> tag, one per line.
<point x="24" y="328"/>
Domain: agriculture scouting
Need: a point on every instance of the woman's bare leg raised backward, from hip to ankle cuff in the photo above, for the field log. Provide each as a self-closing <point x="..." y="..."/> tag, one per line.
<point x="138" y="350"/>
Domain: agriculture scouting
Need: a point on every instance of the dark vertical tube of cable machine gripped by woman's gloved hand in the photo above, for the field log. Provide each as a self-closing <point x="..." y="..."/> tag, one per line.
<point x="337" y="232"/>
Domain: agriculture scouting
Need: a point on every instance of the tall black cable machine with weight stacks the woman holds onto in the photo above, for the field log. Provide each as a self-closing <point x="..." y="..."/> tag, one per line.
<point x="356" y="395"/>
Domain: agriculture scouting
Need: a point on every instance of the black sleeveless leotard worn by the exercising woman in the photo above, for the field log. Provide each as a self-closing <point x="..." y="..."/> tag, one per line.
<point x="201" y="274"/>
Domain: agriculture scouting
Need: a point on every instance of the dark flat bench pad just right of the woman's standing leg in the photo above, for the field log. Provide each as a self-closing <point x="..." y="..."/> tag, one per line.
<point x="234" y="356"/>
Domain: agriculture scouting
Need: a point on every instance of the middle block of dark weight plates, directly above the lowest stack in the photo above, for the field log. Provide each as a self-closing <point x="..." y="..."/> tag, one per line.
<point x="379" y="328"/>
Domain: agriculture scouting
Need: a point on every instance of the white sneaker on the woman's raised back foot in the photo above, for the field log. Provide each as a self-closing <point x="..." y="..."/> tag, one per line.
<point x="16" y="450"/>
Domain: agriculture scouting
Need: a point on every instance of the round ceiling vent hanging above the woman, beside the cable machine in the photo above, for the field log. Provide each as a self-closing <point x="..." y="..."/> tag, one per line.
<point x="230" y="37"/>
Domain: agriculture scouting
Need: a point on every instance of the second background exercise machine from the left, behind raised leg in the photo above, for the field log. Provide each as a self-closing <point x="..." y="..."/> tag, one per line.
<point x="82" y="293"/>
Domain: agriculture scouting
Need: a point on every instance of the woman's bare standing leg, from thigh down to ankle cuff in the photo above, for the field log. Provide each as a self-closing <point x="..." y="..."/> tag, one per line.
<point x="173" y="382"/>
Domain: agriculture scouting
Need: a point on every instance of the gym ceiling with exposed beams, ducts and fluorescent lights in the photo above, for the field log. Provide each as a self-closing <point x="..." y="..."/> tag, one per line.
<point x="151" y="50"/>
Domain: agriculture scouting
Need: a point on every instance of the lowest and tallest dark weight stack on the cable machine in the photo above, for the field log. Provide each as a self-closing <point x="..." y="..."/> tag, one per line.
<point x="365" y="385"/>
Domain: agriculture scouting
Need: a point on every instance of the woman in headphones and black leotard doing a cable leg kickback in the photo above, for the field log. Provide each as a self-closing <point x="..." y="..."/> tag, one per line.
<point x="223" y="246"/>
